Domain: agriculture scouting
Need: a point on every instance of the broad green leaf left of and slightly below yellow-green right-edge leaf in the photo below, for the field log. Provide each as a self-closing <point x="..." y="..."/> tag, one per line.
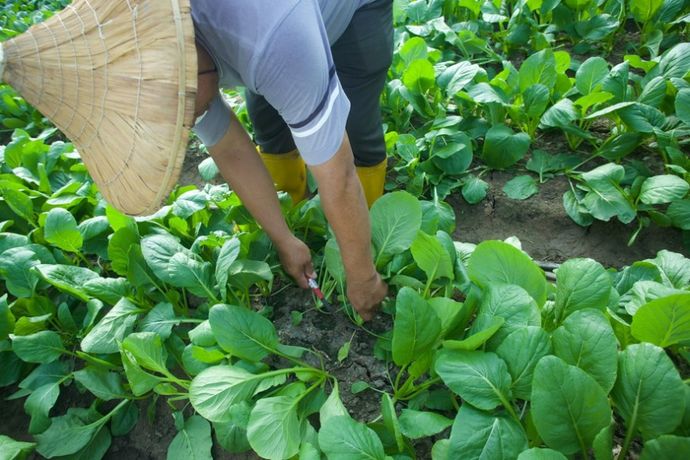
<point x="586" y="340"/>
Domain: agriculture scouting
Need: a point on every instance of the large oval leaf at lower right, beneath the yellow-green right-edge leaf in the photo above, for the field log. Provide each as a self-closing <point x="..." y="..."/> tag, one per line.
<point x="647" y="391"/>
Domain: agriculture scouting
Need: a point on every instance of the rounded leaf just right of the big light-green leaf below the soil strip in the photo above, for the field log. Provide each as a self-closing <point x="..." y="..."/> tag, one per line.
<point x="581" y="283"/>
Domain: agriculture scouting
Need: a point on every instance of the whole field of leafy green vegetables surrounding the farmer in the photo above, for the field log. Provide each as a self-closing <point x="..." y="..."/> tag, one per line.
<point x="178" y="336"/>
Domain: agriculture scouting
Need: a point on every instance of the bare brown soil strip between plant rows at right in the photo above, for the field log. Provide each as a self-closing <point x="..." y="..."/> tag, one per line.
<point x="548" y="234"/>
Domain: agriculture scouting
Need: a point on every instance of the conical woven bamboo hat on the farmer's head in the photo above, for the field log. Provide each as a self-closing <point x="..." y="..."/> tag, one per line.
<point x="119" y="79"/>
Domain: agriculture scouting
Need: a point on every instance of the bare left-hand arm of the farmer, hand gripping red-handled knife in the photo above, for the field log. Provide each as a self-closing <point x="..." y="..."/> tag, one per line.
<point x="241" y="166"/>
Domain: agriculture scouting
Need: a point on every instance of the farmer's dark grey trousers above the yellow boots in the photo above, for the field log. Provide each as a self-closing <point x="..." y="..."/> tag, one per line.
<point x="362" y="56"/>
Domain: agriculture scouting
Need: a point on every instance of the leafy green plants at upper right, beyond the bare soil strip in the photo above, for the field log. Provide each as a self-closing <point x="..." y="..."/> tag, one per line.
<point x="458" y="104"/>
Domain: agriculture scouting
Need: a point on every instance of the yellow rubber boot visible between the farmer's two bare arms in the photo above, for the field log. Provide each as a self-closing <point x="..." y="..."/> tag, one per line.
<point x="289" y="173"/>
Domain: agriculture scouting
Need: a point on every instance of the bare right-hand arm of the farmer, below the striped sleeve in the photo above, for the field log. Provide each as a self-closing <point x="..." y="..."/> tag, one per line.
<point x="346" y="209"/>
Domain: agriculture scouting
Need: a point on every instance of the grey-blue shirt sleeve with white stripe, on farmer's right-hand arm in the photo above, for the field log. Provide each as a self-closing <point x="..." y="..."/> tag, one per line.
<point x="296" y="75"/>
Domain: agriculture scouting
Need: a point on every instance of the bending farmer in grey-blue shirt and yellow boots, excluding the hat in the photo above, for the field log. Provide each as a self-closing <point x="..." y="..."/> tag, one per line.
<point x="313" y="72"/>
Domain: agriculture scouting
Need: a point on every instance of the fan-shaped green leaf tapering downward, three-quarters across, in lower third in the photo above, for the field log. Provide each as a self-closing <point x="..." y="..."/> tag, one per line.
<point x="521" y="351"/>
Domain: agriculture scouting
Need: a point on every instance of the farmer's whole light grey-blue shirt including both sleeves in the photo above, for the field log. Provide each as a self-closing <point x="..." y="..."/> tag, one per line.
<point x="279" y="49"/>
